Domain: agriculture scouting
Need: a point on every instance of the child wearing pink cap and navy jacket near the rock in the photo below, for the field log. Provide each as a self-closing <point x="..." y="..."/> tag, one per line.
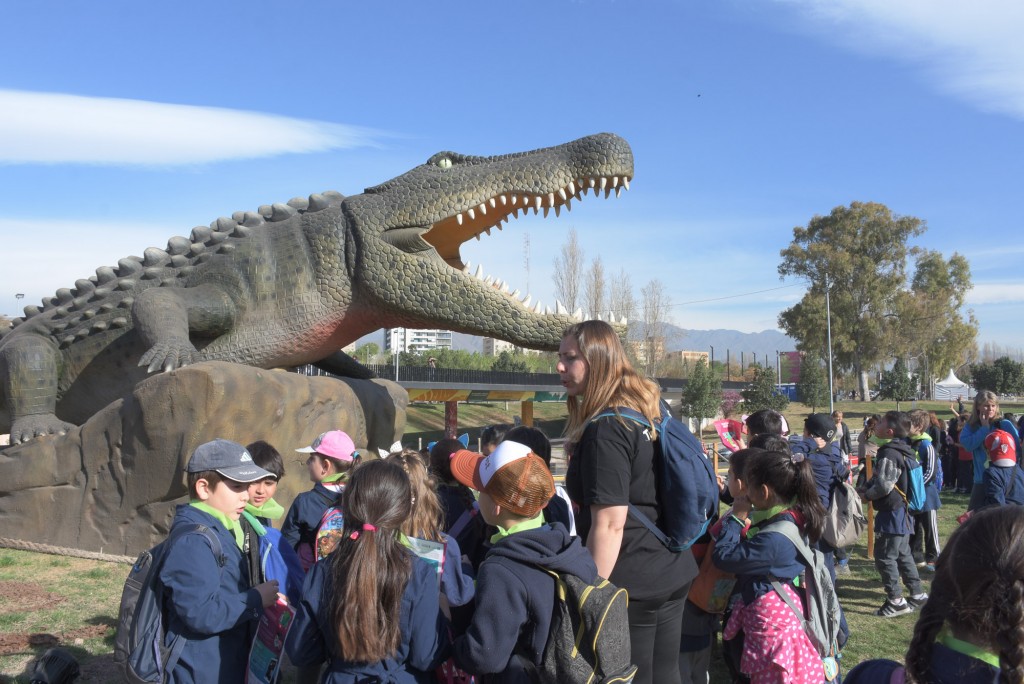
<point x="331" y="457"/>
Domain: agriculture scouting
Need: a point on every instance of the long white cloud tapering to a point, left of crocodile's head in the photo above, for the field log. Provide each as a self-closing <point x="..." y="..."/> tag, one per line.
<point x="57" y="129"/>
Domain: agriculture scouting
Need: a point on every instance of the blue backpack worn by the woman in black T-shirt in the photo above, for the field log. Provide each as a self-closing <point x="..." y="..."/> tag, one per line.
<point x="688" y="486"/>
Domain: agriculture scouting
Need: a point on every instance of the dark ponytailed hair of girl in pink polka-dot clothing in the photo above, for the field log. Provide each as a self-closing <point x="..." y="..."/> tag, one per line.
<point x="791" y="478"/>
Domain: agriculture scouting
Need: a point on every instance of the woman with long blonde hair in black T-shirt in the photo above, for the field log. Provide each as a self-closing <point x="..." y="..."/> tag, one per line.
<point x="612" y="466"/>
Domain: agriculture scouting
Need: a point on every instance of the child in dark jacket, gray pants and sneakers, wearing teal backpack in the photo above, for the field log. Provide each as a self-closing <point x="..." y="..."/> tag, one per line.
<point x="893" y="523"/>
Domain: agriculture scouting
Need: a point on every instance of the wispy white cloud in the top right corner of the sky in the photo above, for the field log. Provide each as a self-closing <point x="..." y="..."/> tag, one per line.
<point x="972" y="51"/>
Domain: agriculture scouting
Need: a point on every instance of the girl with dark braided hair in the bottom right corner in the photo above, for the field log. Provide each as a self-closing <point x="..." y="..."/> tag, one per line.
<point x="972" y="629"/>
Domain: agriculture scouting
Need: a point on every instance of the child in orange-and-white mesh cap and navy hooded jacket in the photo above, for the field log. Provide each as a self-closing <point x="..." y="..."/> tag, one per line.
<point x="515" y="593"/>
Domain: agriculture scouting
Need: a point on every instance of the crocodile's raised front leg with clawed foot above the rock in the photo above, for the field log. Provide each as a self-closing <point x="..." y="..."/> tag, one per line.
<point x="165" y="318"/>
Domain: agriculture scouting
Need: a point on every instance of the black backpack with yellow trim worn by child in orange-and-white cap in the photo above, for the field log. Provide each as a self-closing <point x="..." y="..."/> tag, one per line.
<point x="589" y="640"/>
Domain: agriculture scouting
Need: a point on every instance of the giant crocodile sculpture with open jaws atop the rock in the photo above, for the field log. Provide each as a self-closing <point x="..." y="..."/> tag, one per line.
<point x="294" y="283"/>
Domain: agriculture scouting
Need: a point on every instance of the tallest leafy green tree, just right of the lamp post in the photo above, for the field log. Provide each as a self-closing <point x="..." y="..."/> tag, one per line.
<point x="860" y="253"/>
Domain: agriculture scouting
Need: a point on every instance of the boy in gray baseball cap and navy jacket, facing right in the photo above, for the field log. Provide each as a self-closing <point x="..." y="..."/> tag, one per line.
<point x="207" y="596"/>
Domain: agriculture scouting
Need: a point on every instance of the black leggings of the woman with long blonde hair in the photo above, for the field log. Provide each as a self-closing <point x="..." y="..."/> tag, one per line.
<point x="656" y="627"/>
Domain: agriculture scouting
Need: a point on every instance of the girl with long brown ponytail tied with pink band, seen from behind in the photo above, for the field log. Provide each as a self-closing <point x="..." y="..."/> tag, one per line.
<point x="371" y="609"/>
